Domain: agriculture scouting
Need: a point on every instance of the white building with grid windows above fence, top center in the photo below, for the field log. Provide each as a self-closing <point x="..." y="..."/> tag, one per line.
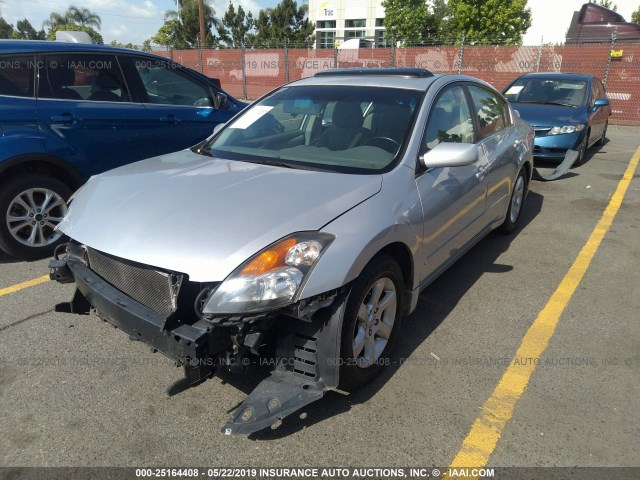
<point x="339" y="20"/>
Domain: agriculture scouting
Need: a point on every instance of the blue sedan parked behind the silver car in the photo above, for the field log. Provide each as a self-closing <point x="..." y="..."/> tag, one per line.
<point x="568" y="111"/>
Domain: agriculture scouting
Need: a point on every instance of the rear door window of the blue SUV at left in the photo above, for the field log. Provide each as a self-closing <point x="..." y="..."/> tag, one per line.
<point x="83" y="77"/>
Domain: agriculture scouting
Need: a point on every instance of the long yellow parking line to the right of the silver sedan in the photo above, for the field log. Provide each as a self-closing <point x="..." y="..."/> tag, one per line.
<point x="498" y="408"/>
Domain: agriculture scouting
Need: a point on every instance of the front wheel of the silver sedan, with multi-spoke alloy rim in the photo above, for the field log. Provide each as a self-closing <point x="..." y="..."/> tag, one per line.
<point x="371" y="321"/>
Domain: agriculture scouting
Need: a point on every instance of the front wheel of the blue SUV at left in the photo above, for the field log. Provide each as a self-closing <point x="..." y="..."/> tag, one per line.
<point x="31" y="206"/>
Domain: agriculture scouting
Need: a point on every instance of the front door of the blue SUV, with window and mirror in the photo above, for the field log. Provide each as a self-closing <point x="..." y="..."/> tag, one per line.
<point x="179" y="106"/>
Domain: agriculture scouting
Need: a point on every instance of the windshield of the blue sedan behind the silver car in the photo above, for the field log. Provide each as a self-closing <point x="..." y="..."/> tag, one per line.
<point x="569" y="93"/>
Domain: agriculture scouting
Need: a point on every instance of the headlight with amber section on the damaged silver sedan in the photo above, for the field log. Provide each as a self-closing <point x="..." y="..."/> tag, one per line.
<point x="271" y="278"/>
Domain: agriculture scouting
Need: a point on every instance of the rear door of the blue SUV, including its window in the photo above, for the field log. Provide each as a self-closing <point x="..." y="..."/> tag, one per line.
<point x="86" y="113"/>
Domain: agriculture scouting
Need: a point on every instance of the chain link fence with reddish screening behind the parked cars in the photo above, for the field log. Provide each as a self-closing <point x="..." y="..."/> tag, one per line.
<point x="250" y="72"/>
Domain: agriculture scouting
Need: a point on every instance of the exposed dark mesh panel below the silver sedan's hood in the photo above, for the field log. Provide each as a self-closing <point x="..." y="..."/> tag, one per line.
<point x="154" y="289"/>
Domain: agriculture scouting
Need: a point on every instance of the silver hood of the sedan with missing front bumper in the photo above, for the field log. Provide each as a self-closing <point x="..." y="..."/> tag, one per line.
<point x="205" y="216"/>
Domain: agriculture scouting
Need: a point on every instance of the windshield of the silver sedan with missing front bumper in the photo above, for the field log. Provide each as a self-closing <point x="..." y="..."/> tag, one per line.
<point x="327" y="127"/>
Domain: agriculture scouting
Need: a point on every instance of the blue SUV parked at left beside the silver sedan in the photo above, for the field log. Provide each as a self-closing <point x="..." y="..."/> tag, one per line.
<point x="69" y="111"/>
